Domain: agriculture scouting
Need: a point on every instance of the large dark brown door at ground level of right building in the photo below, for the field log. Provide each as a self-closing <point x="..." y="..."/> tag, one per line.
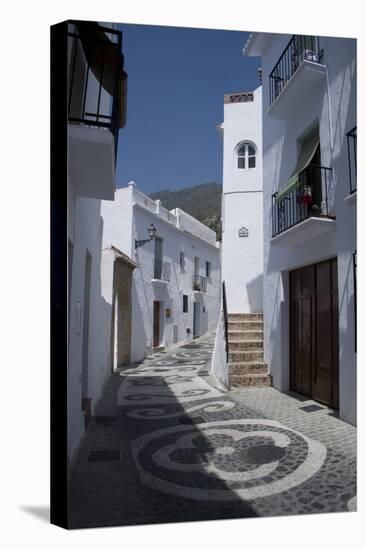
<point x="314" y="332"/>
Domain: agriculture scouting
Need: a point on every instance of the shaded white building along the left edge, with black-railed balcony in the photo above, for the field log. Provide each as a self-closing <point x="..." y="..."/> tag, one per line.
<point x="96" y="112"/>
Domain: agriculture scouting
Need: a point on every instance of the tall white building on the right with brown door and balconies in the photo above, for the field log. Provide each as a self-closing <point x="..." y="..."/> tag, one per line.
<point x="309" y="175"/>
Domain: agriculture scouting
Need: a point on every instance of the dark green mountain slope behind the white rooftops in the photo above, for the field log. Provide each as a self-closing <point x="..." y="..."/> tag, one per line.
<point x="201" y="201"/>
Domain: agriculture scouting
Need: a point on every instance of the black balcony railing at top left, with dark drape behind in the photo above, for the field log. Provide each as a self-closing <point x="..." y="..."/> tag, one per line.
<point x="97" y="82"/>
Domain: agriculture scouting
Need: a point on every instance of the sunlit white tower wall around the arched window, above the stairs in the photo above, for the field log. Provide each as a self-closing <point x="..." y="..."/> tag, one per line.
<point x="242" y="257"/>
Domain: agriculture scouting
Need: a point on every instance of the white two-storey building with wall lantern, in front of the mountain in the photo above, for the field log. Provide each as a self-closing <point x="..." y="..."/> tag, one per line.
<point x="175" y="286"/>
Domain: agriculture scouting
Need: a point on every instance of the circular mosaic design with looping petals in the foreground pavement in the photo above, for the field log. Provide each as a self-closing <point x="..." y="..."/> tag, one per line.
<point x="227" y="460"/>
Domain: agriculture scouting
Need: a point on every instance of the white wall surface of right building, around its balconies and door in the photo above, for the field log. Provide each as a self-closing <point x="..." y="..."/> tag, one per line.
<point x="333" y="106"/>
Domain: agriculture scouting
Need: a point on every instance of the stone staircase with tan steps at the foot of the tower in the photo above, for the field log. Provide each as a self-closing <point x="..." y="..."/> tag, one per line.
<point x="246" y="365"/>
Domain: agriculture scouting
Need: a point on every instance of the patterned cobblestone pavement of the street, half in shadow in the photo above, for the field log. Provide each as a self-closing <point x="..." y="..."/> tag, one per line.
<point x="166" y="445"/>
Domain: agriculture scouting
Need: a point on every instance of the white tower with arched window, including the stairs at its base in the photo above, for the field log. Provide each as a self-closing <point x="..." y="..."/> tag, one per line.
<point x="242" y="248"/>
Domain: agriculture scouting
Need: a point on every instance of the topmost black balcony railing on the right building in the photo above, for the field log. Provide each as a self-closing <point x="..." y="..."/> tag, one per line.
<point x="299" y="49"/>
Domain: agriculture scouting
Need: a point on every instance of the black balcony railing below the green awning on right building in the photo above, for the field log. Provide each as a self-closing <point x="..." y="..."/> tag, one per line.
<point x="308" y="200"/>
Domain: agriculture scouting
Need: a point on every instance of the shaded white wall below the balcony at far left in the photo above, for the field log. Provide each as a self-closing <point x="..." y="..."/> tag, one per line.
<point x="85" y="232"/>
